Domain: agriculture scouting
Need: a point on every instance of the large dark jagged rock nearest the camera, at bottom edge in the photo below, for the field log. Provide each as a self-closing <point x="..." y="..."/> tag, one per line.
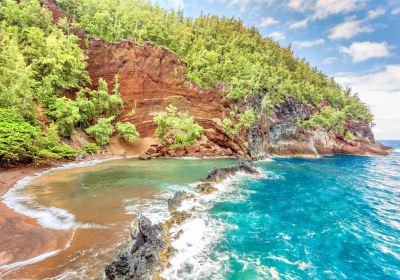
<point x="140" y="259"/>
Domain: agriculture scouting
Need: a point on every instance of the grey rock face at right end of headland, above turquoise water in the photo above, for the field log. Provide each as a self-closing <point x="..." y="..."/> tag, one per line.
<point x="286" y="138"/>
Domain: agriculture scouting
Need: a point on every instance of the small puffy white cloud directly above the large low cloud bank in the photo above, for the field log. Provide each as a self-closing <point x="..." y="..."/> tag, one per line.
<point x="362" y="51"/>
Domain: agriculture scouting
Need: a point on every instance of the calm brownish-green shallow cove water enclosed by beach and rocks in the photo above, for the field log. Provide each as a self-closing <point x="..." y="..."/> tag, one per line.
<point x="94" y="206"/>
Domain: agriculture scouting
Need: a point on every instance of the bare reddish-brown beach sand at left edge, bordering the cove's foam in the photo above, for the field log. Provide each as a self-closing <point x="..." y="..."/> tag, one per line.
<point x="21" y="237"/>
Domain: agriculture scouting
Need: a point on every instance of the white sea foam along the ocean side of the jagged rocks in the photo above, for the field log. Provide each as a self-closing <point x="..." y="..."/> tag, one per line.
<point x="200" y="232"/>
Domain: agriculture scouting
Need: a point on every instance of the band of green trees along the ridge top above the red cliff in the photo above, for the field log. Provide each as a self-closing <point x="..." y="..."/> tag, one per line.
<point x="218" y="50"/>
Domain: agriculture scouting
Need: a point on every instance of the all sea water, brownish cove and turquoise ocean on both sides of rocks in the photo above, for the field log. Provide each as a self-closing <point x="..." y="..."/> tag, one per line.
<point x="334" y="217"/>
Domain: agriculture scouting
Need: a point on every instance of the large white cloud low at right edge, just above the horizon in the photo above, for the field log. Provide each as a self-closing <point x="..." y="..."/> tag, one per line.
<point x="381" y="91"/>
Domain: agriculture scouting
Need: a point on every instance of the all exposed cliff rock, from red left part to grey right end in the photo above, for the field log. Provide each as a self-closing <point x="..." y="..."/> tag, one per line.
<point x="153" y="77"/>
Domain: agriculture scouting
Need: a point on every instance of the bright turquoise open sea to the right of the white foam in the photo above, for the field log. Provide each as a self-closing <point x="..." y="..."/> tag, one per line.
<point x="330" y="218"/>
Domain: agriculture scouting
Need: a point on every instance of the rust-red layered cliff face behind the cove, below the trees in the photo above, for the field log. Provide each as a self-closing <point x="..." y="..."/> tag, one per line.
<point x="150" y="79"/>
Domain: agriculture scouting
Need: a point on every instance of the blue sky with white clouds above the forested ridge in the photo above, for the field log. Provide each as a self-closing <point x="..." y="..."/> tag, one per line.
<point x="355" y="41"/>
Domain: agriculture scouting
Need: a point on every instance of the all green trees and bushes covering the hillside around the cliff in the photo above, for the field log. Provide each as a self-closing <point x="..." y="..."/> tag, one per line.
<point x="41" y="61"/>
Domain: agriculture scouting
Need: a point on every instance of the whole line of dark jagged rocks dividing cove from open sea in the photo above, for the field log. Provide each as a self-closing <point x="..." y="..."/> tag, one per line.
<point x="146" y="256"/>
